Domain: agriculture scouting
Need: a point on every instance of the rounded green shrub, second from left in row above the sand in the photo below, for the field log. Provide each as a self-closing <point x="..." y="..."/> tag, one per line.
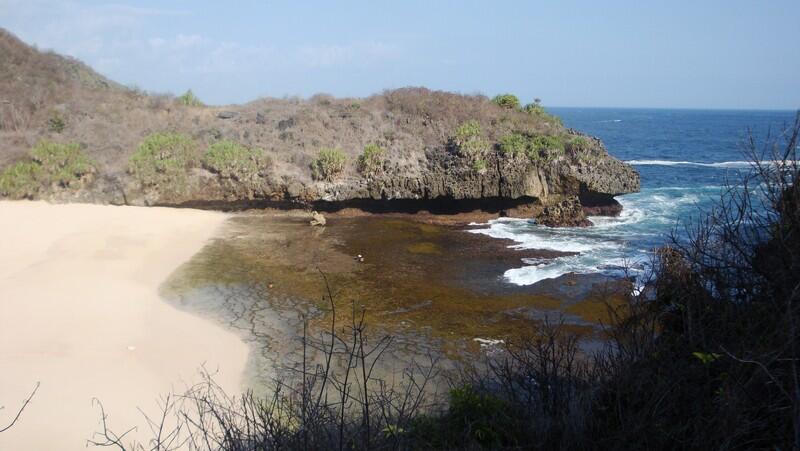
<point x="61" y="164"/>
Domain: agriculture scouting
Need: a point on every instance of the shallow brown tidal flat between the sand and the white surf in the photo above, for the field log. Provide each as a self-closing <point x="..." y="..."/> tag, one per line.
<point x="433" y="288"/>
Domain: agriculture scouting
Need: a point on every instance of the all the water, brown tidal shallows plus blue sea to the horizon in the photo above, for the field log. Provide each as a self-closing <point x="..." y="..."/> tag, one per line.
<point x="444" y="292"/>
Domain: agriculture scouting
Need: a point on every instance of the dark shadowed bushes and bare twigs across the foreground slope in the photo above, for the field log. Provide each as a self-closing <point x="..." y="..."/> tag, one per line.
<point x="705" y="356"/>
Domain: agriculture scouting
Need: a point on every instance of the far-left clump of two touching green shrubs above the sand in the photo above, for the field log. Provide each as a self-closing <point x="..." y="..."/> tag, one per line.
<point x="52" y="165"/>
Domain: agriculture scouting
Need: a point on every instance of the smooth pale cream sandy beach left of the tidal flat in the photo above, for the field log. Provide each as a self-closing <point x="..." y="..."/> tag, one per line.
<point x="80" y="312"/>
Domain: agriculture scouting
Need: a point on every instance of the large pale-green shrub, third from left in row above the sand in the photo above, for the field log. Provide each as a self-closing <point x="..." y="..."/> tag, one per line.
<point x="164" y="158"/>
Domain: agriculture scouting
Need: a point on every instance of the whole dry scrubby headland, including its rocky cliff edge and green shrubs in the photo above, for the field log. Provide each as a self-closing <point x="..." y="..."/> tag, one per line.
<point x="425" y="149"/>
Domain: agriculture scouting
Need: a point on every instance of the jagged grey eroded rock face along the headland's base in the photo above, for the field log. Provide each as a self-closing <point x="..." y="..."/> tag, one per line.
<point x="560" y="191"/>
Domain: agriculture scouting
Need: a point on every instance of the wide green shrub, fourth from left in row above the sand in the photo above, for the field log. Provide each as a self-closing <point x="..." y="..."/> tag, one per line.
<point x="230" y="159"/>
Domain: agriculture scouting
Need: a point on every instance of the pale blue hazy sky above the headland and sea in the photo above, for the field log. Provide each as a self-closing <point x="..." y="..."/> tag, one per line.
<point x="662" y="54"/>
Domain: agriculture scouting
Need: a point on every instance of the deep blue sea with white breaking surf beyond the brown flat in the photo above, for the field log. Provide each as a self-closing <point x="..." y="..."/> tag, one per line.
<point x="684" y="157"/>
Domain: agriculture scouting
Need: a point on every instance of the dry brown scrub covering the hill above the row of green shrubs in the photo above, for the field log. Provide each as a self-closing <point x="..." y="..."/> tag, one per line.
<point x="35" y="86"/>
